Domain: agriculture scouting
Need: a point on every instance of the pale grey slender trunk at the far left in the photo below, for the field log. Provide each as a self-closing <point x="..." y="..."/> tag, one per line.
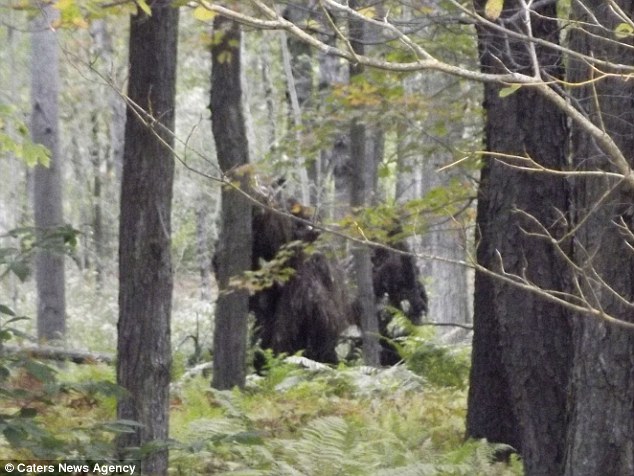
<point x="47" y="181"/>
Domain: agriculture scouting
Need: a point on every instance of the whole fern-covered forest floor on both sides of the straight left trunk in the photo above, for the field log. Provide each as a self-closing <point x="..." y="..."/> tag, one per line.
<point x="301" y="418"/>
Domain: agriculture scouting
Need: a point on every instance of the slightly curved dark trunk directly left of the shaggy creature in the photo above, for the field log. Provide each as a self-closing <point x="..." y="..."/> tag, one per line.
<point x="234" y="248"/>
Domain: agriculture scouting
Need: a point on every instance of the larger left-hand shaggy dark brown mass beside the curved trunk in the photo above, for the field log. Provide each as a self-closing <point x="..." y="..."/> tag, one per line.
<point x="308" y="311"/>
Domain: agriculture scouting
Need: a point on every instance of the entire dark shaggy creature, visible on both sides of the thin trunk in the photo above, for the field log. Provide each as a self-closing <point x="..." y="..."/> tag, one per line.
<point x="310" y="310"/>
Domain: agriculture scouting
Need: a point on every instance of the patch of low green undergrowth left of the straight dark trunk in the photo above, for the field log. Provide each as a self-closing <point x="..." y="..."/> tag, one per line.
<point x="56" y="412"/>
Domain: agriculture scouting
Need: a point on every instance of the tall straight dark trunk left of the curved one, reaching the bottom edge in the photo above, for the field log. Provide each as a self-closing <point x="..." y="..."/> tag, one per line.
<point x="145" y="269"/>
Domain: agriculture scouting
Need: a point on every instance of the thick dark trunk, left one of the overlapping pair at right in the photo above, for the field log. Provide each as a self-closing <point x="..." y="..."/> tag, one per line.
<point x="522" y="346"/>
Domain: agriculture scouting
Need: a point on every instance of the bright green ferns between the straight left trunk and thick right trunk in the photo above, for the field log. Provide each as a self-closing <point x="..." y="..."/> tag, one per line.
<point x="324" y="421"/>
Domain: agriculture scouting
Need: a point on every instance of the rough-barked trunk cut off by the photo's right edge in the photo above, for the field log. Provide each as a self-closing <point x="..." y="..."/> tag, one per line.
<point x="601" y="430"/>
